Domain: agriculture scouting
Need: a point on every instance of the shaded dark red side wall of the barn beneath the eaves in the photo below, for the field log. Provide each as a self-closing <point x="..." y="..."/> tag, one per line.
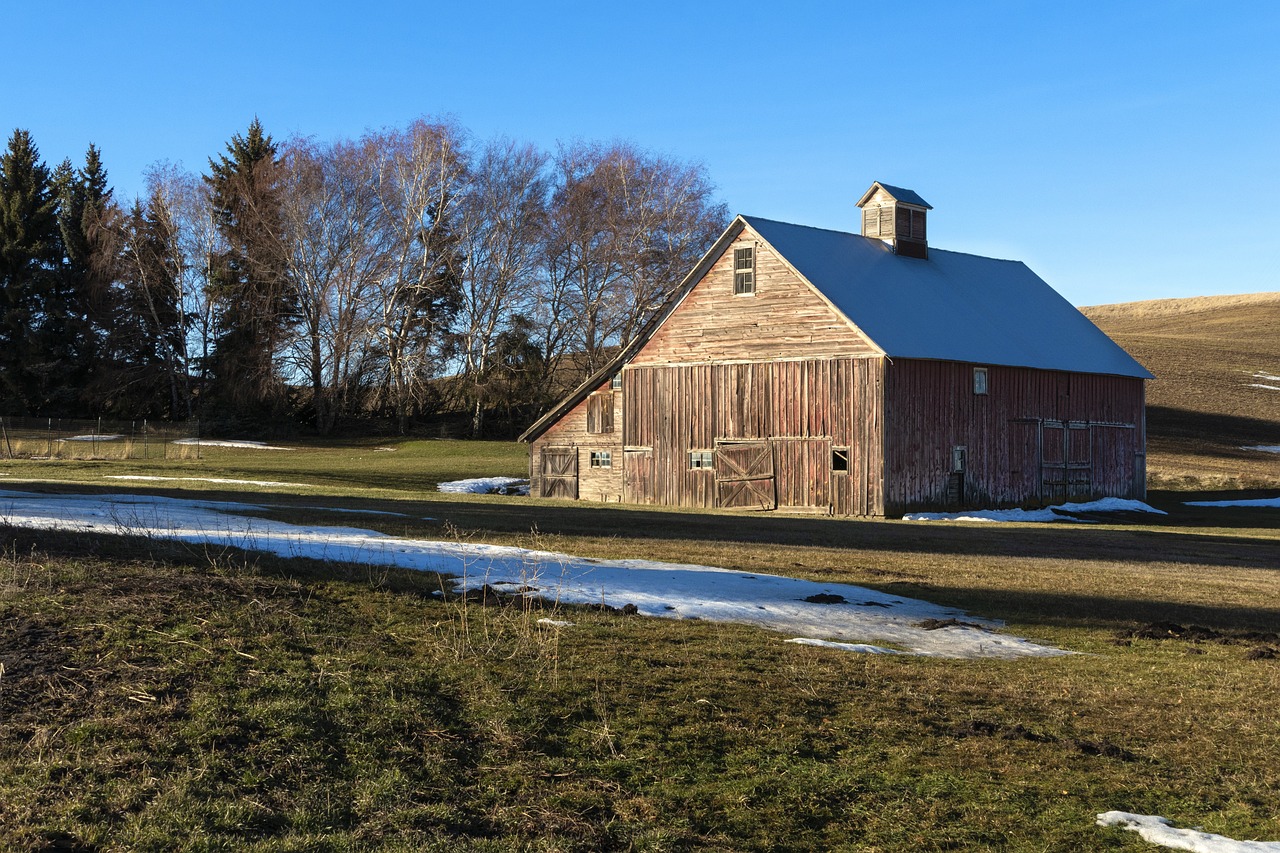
<point x="1036" y="436"/>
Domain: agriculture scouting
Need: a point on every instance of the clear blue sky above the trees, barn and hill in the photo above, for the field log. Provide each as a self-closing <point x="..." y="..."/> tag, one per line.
<point x="1123" y="150"/>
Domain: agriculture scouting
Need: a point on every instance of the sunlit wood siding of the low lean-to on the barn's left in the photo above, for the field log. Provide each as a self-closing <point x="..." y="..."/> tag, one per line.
<point x="573" y="432"/>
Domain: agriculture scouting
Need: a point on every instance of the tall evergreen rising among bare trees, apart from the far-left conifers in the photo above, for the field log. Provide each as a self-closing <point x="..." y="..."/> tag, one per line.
<point x="255" y="302"/>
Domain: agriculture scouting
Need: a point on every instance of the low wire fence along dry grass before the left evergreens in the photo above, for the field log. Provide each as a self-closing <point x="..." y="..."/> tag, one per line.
<point x="63" y="439"/>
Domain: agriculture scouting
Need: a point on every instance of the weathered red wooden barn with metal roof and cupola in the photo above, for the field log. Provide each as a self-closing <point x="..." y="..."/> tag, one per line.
<point x="870" y="375"/>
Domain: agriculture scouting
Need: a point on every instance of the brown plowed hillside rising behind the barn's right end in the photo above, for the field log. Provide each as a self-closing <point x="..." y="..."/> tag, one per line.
<point x="1218" y="385"/>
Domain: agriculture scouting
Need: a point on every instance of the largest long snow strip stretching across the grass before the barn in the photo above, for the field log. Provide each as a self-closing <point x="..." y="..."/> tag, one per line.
<point x="671" y="591"/>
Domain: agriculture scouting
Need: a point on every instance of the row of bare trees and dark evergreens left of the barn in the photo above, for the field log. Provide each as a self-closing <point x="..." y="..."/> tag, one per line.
<point x="408" y="273"/>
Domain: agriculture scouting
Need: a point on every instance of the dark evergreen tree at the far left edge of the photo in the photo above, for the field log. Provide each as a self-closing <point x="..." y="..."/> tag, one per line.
<point x="31" y="256"/>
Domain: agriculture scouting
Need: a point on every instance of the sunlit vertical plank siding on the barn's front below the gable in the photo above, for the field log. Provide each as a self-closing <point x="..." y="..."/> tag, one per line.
<point x="804" y="409"/>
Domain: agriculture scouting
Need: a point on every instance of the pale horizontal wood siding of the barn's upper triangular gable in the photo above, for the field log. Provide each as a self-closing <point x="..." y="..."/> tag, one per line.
<point x="783" y="320"/>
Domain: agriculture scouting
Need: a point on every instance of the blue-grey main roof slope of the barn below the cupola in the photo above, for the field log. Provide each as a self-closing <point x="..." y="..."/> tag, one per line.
<point x="950" y="307"/>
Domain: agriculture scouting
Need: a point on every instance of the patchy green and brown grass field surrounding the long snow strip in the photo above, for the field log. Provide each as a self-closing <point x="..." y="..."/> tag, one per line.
<point x="157" y="697"/>
